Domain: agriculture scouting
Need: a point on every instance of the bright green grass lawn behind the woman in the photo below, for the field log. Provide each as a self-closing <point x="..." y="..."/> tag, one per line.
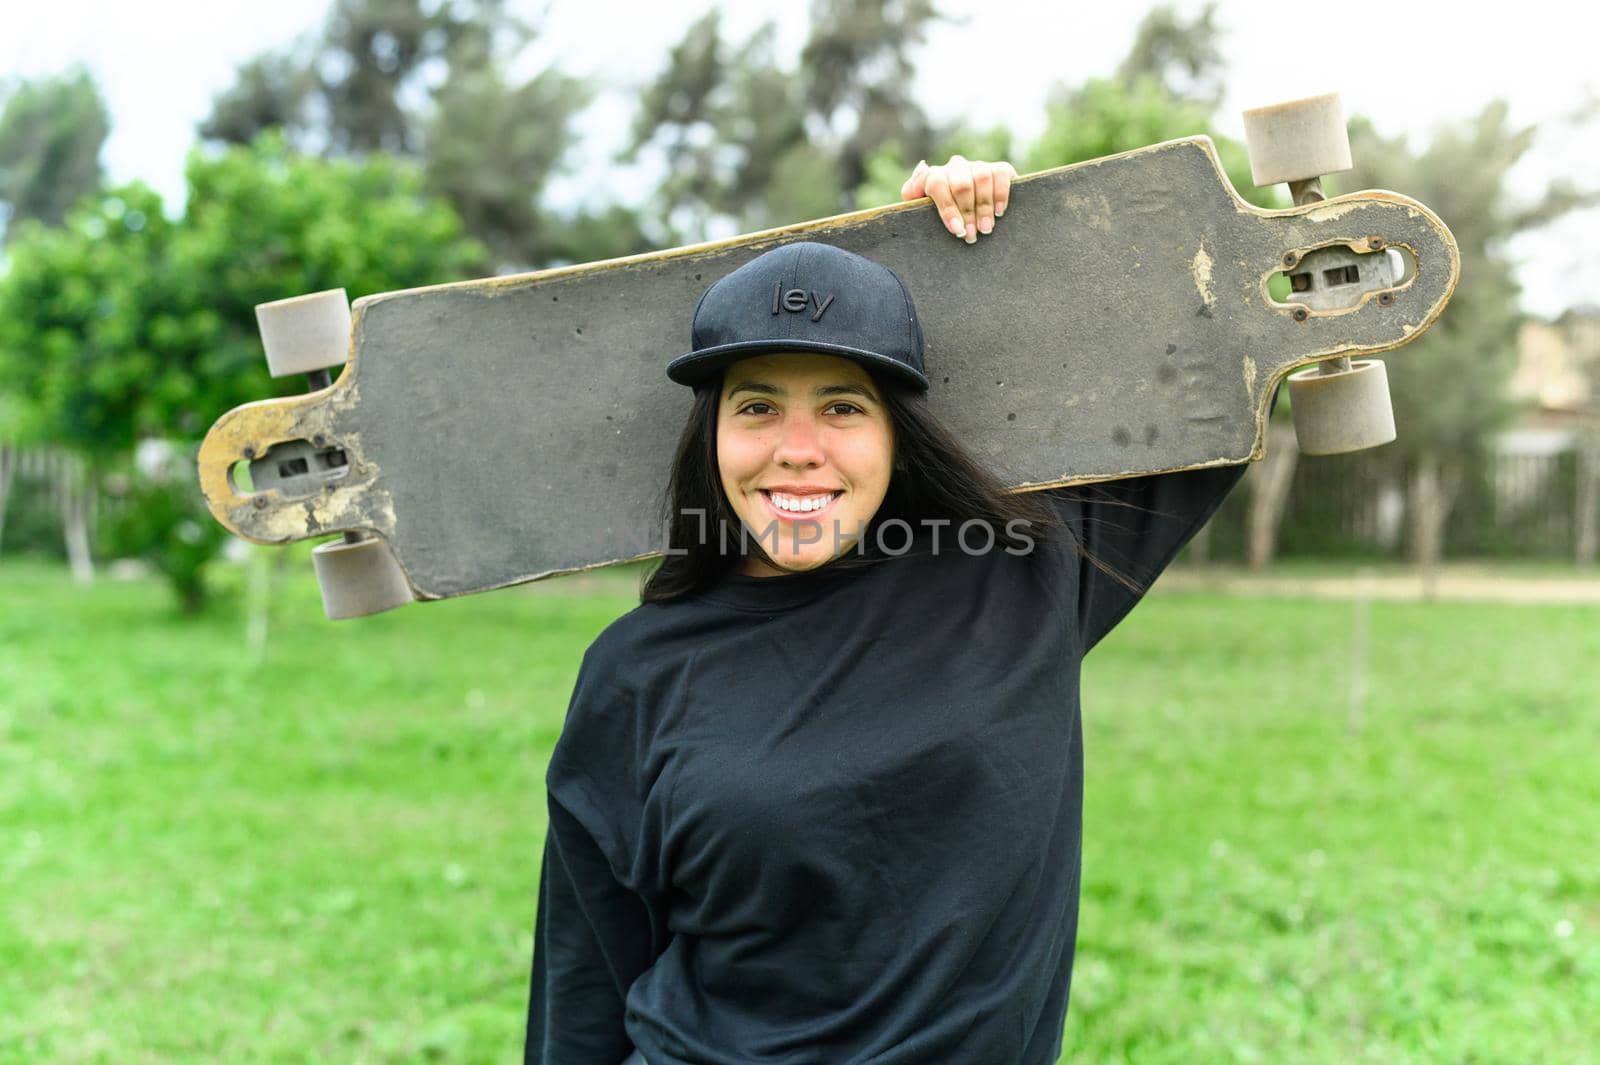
<point x="330" y="855"/>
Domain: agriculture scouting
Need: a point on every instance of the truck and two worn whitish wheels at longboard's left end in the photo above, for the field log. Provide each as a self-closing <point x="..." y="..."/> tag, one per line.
<point x="308" y="335"/>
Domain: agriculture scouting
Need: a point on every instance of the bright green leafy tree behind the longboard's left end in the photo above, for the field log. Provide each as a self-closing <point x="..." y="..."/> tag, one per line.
<point x="127" y="325"/>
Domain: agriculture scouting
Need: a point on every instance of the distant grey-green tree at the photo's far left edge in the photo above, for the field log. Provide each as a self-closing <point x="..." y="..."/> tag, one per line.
<point x="52" y="132"/>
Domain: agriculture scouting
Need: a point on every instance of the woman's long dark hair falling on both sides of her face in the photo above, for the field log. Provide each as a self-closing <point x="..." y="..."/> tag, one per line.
<point x="934" y="479"/>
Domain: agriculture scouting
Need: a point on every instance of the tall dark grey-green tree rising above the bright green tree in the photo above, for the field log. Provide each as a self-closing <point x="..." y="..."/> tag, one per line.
<point x="431" y="84"/>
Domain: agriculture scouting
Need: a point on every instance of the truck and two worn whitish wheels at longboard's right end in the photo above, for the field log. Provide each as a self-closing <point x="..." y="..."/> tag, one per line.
<point x="1338" y="405"/>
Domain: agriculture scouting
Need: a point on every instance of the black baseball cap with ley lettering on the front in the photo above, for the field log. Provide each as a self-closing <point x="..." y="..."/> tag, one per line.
<point x="806" y="298"/>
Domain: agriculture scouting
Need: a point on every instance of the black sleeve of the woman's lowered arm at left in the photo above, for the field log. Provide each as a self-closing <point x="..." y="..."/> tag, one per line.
<point x="596" y="933"/>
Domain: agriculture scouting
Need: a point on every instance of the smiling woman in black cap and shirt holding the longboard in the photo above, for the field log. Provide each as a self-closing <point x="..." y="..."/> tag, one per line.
<point x="818" y="799"/>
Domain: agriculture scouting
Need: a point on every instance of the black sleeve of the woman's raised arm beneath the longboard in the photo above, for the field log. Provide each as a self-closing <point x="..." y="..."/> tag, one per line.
<point x="1135" y="529"/>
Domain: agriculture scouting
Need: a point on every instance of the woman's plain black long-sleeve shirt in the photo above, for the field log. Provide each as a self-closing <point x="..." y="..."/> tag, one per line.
<point x="836" y="816"/>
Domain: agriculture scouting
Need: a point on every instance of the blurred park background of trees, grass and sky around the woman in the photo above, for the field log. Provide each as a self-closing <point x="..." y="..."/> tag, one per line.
<point x="1343" y="764"/>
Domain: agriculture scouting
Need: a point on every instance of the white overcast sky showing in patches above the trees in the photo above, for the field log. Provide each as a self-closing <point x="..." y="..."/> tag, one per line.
<point x="1409" y="66"/>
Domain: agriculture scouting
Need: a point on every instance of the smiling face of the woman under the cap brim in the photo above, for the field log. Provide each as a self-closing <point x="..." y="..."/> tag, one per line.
<point x="806" y="449"/>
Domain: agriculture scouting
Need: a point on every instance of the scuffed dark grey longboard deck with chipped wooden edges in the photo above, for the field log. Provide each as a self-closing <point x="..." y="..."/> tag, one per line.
<point x="1116" y="324"/>
